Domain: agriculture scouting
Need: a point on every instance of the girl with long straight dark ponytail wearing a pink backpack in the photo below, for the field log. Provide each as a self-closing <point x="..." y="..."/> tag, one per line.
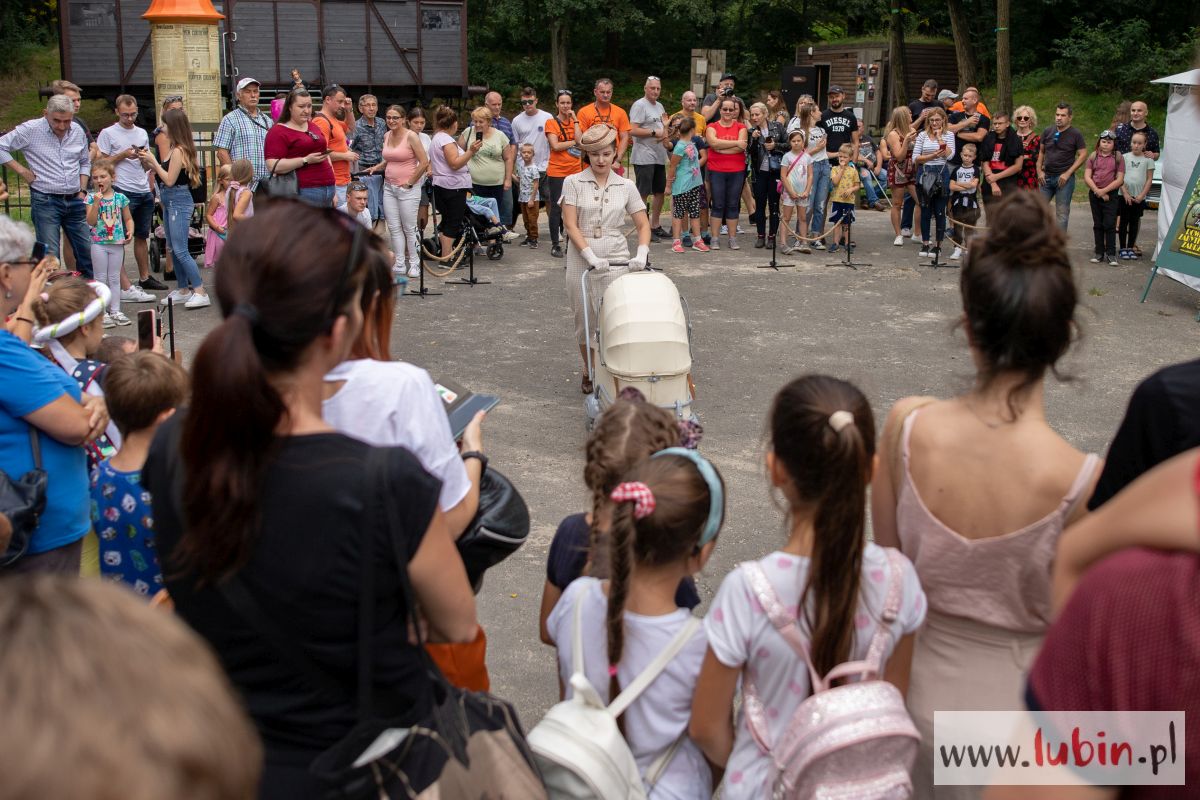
<point x="823" y="450"/>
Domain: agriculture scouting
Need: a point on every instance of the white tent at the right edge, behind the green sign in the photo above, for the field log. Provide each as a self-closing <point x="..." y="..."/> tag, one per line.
<point x="1181" y="148"/>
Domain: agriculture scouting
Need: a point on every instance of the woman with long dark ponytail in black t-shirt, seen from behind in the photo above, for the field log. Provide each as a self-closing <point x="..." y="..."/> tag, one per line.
<point x="254" y="489"/>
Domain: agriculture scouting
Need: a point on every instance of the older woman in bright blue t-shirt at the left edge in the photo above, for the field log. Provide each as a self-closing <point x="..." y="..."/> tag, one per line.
<point x="41" y="404"/>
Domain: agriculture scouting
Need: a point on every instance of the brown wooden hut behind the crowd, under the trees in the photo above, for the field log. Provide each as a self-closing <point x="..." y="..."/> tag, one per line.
<point x="863" y="68"/>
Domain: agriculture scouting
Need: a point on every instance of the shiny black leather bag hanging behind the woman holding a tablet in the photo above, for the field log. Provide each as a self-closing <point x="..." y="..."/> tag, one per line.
<point x="500" y="528"/>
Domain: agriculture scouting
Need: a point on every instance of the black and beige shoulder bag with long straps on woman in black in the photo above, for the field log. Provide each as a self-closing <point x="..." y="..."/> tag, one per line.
<point x="467" y="747"/>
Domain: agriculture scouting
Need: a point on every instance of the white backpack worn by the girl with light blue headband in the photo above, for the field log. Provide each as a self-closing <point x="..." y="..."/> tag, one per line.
<point x="578" y="745"/>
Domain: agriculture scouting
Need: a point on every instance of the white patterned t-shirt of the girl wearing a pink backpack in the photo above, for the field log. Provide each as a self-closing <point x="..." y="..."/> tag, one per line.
<point x="741" y="636"/>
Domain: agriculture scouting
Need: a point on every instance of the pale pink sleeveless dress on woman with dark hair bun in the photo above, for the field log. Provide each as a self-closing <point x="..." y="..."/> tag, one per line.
<point x="989" y="609"/>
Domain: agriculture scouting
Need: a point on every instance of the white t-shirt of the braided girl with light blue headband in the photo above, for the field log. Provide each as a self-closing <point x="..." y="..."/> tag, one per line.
<point x="656" y="719"/>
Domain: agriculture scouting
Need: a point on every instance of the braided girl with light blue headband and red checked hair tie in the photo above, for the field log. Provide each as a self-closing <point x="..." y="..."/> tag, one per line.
<point x="665" y="521"/>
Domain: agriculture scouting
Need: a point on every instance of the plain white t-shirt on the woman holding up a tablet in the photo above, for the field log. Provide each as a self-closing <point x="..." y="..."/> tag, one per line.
<point x="389" y="404"/>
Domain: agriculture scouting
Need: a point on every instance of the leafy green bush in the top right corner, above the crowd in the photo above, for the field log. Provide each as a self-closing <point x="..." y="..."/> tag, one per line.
<point x="1125" y="55"/>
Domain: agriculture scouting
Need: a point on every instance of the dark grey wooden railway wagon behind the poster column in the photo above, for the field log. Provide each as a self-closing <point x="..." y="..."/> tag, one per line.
<point x="400" y="50"/>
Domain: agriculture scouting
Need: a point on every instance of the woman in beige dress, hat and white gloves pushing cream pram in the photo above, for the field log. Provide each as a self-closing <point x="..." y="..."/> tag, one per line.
<point x="596" y="203"/>
